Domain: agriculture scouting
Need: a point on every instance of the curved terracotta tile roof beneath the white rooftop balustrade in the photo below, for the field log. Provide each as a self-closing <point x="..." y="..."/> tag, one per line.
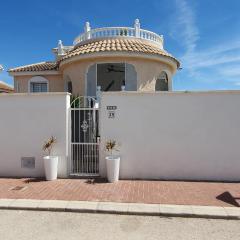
<point x="118" y="44"/>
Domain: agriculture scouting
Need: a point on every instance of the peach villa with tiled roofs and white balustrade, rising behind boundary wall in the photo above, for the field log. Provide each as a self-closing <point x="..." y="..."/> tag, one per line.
<point x="111" y="58"/>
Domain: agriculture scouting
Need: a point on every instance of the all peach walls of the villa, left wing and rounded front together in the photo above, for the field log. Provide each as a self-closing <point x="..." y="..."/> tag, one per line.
<point x="147" y="73"/>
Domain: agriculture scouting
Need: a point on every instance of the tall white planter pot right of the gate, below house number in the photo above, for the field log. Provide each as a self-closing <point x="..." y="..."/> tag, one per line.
<point x="113" y="165"/>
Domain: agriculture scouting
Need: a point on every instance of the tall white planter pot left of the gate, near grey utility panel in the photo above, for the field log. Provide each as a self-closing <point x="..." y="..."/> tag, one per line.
<point x="50" y="166"/>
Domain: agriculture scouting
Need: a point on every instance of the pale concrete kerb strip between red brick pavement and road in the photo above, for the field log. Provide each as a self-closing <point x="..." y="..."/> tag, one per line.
<point x="122" y="208"/>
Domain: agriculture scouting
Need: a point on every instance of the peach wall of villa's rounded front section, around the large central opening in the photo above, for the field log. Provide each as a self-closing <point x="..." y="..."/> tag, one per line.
<point x="147" y="72"/>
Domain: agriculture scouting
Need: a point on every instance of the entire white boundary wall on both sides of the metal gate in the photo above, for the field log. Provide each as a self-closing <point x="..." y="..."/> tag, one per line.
<point x="165" y="135"/>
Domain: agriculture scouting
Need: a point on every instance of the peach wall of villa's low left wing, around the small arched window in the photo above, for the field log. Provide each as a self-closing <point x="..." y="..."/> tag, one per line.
<point x="56" y="83"/>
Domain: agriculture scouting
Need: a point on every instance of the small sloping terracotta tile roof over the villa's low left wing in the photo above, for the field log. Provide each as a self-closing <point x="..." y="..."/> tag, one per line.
<point x="42" y="66"/>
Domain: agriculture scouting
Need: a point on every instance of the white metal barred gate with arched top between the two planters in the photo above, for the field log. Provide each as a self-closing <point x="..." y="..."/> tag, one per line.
<point x="85" y="137"/>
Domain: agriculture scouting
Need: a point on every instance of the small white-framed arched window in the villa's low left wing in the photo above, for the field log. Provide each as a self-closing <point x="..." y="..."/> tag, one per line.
<point x="38" y="84"/>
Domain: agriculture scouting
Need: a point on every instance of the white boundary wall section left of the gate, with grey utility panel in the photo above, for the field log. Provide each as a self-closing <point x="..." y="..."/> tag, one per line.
<point x="26" y="121"/>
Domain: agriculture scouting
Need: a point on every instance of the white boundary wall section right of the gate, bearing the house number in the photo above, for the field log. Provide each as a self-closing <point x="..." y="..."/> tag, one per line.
<point x="174" y="135"/>
